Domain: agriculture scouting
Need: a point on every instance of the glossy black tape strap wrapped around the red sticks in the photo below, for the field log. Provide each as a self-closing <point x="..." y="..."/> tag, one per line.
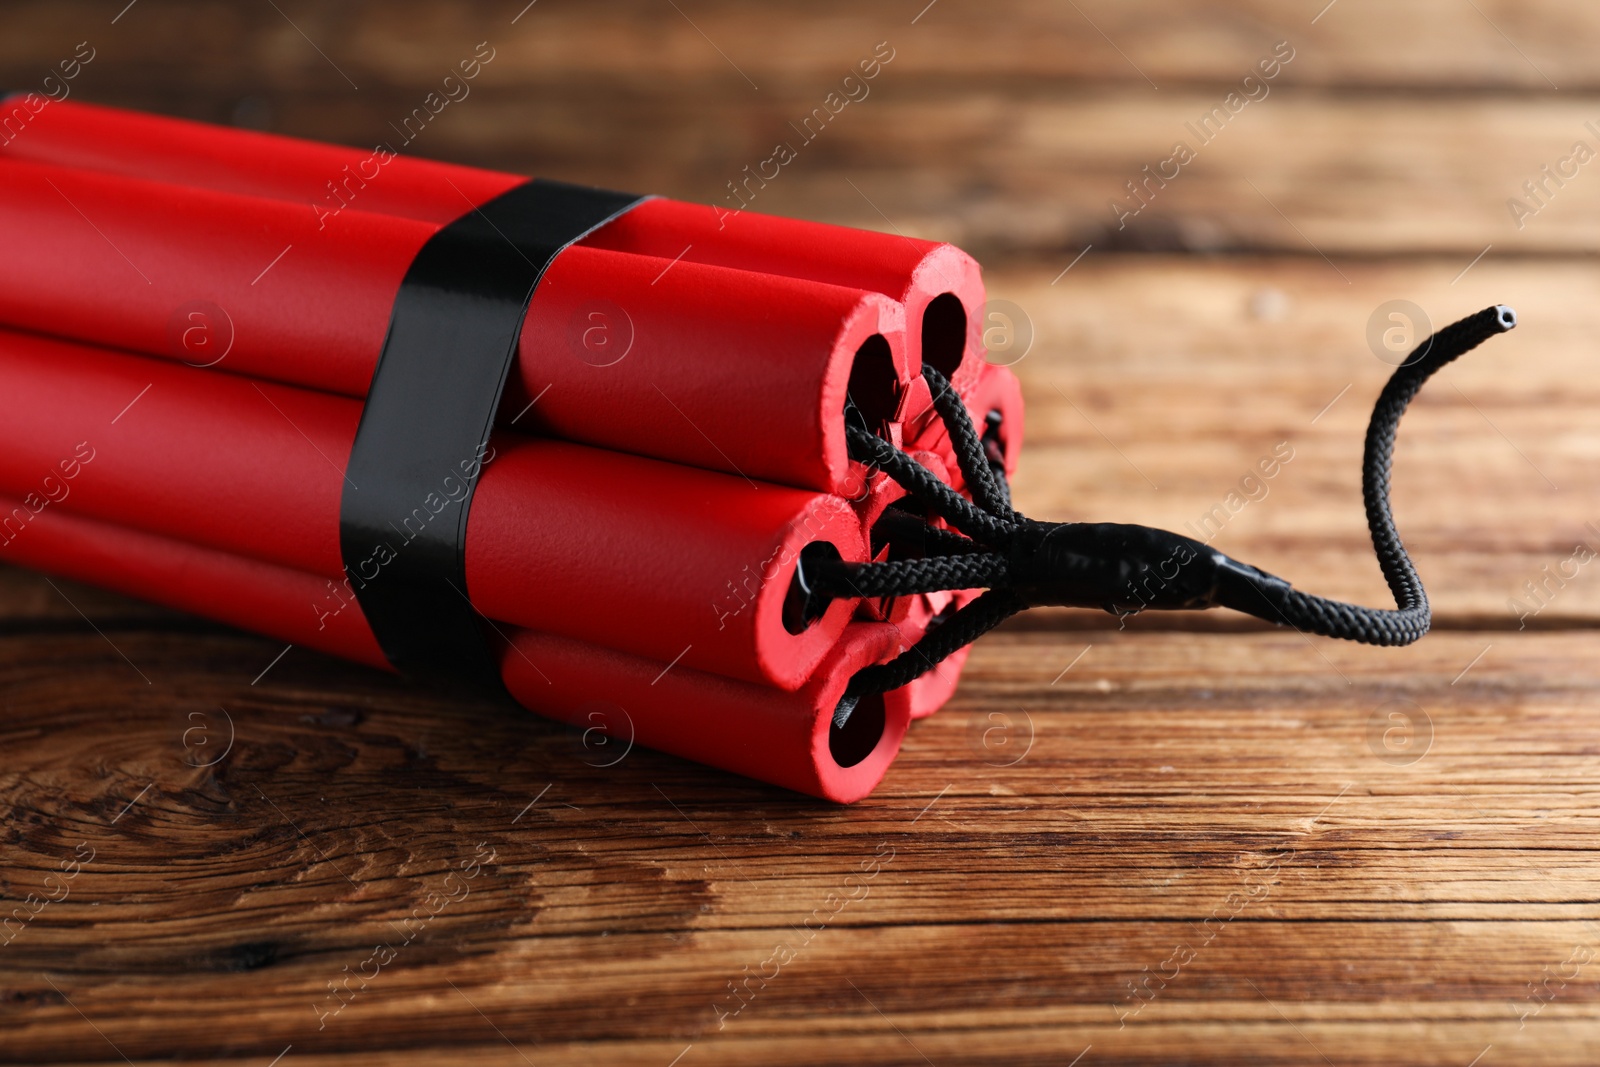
<point x="425" y="431"/>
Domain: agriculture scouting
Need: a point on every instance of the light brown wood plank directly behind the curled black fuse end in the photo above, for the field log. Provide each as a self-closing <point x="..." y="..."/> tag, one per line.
<point x="1154" y="386"/>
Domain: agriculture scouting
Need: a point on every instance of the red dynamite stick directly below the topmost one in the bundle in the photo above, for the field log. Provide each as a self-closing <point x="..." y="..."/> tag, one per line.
<point x="695" y="364"/>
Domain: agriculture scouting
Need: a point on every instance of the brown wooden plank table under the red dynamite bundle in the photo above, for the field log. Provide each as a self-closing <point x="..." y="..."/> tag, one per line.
<point x="1191" y="841"/>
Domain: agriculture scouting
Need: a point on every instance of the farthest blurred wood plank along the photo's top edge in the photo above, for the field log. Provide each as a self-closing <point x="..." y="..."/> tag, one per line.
<point x="1423" y="46"/>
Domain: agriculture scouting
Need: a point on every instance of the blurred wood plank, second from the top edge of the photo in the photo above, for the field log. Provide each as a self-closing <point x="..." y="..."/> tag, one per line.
<point x="1015" y="174"/>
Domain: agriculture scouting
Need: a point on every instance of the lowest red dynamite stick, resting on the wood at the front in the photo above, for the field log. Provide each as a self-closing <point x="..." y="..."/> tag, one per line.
<point x="762" y="733"/>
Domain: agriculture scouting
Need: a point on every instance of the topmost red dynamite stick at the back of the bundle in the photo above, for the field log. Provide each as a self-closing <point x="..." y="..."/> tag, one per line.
<point x="940" y="286"/>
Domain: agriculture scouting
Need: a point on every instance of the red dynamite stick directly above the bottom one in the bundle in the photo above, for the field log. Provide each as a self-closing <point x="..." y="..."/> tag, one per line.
<point x="655" y="559"/>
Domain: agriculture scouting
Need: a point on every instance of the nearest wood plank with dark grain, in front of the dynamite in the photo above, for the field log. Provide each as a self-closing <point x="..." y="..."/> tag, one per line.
<point x="1172" y="780"/>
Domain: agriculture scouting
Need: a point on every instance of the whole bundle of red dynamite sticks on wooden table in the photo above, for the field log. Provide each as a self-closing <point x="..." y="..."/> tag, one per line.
<point x="191" y="321"/>
